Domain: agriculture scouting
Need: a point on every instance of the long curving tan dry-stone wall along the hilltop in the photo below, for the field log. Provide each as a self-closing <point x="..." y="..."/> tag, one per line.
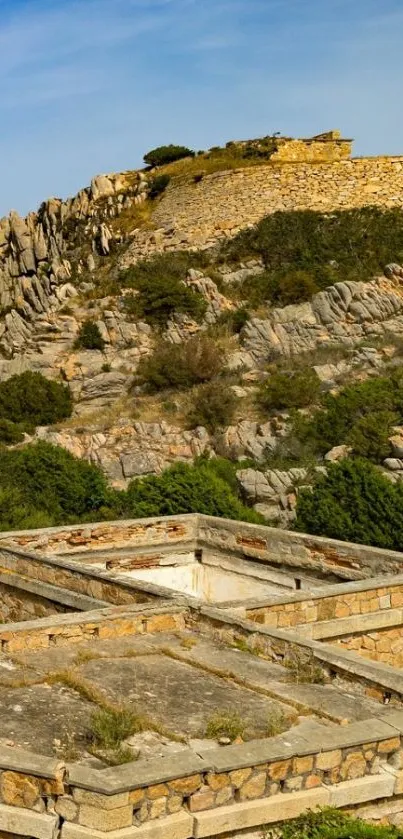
<point x="223" y="203"/>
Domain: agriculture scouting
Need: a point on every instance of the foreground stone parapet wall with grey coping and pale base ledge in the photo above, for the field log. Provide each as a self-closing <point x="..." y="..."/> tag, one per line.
<point x="219" y="791"/>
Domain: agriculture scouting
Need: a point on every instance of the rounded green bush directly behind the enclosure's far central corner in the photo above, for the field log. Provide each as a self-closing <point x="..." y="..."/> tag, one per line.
<point x="184" y="489"/>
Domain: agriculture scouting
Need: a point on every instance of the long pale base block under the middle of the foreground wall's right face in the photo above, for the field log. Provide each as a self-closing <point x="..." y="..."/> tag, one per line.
<point x="247" y="814"/>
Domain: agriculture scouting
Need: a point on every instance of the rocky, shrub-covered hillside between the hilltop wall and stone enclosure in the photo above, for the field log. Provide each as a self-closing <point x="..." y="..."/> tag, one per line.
<point x="186" y="384"/>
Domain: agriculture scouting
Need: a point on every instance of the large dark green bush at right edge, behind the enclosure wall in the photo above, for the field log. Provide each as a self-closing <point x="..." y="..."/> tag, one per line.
<point x="354" y="502"/>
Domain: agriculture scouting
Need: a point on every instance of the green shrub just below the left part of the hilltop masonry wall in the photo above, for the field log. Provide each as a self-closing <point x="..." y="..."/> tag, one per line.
<point x="161" y="290"/>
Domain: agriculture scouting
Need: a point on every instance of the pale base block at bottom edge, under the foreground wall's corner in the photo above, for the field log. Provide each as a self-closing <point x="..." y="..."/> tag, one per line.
<point x="178" y="826"/>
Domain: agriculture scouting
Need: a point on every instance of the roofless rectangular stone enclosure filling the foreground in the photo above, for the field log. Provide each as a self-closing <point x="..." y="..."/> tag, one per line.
<point x="250" y="674"/>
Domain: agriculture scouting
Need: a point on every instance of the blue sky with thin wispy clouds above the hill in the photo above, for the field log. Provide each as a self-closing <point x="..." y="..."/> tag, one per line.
<point x="87" y="86"/>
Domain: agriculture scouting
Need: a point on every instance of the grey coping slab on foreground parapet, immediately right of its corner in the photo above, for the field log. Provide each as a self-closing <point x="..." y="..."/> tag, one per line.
<point x="141" y="773"/>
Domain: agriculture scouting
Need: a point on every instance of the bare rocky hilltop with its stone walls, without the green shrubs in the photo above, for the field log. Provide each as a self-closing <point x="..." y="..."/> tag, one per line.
<point x="62" y="267"/>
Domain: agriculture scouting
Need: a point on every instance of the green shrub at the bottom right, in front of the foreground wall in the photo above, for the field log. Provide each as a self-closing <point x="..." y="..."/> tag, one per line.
<point x="330" y="823"/>
